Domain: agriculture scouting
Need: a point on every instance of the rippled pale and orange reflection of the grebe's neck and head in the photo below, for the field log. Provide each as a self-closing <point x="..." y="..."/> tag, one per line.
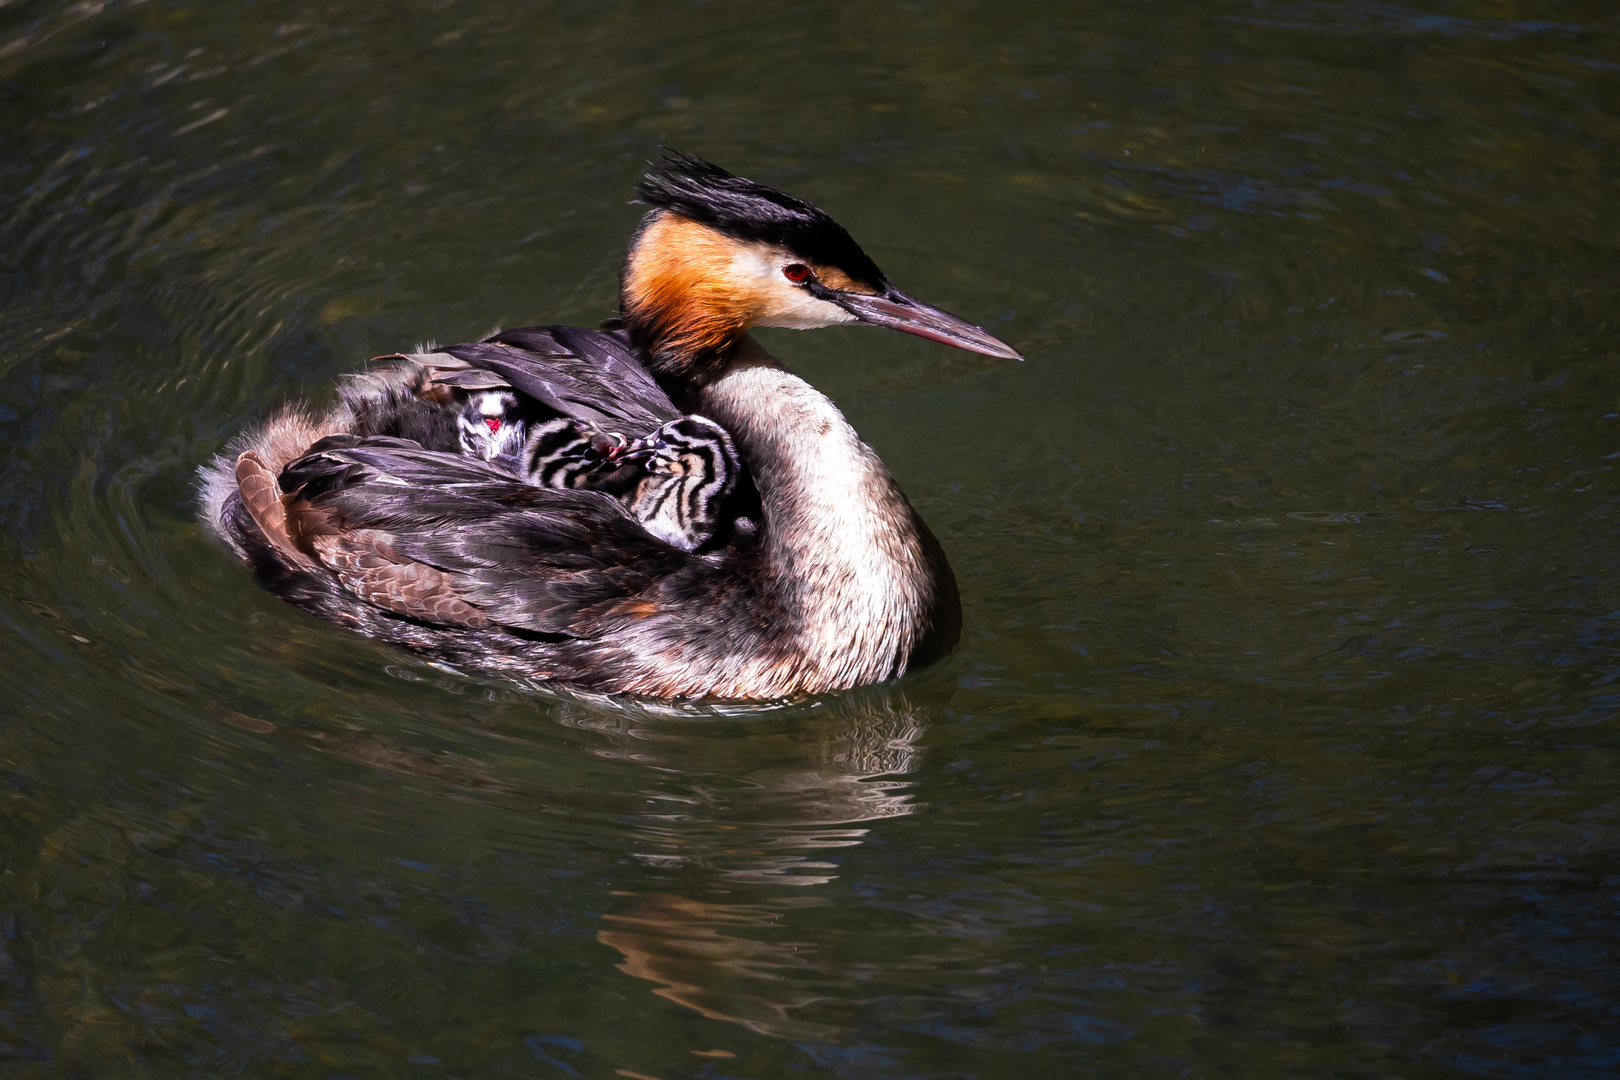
<point x="740" y="827"/>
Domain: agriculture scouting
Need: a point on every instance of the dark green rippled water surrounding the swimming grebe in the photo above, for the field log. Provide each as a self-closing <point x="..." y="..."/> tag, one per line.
<point x="1284" y="738"/>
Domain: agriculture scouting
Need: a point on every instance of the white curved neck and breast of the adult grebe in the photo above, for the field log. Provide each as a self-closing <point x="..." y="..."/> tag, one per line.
<point x="846" y="555"/>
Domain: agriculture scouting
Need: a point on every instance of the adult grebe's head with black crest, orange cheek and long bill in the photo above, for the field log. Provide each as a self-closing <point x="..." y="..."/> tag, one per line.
<point x="720" y="255"/>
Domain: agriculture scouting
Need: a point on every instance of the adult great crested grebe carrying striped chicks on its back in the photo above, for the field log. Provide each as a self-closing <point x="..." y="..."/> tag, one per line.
<point x="809" y="569"/>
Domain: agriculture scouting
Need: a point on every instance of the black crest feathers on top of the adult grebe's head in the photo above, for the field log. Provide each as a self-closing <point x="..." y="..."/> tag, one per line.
<point x="741" y="208"/>
